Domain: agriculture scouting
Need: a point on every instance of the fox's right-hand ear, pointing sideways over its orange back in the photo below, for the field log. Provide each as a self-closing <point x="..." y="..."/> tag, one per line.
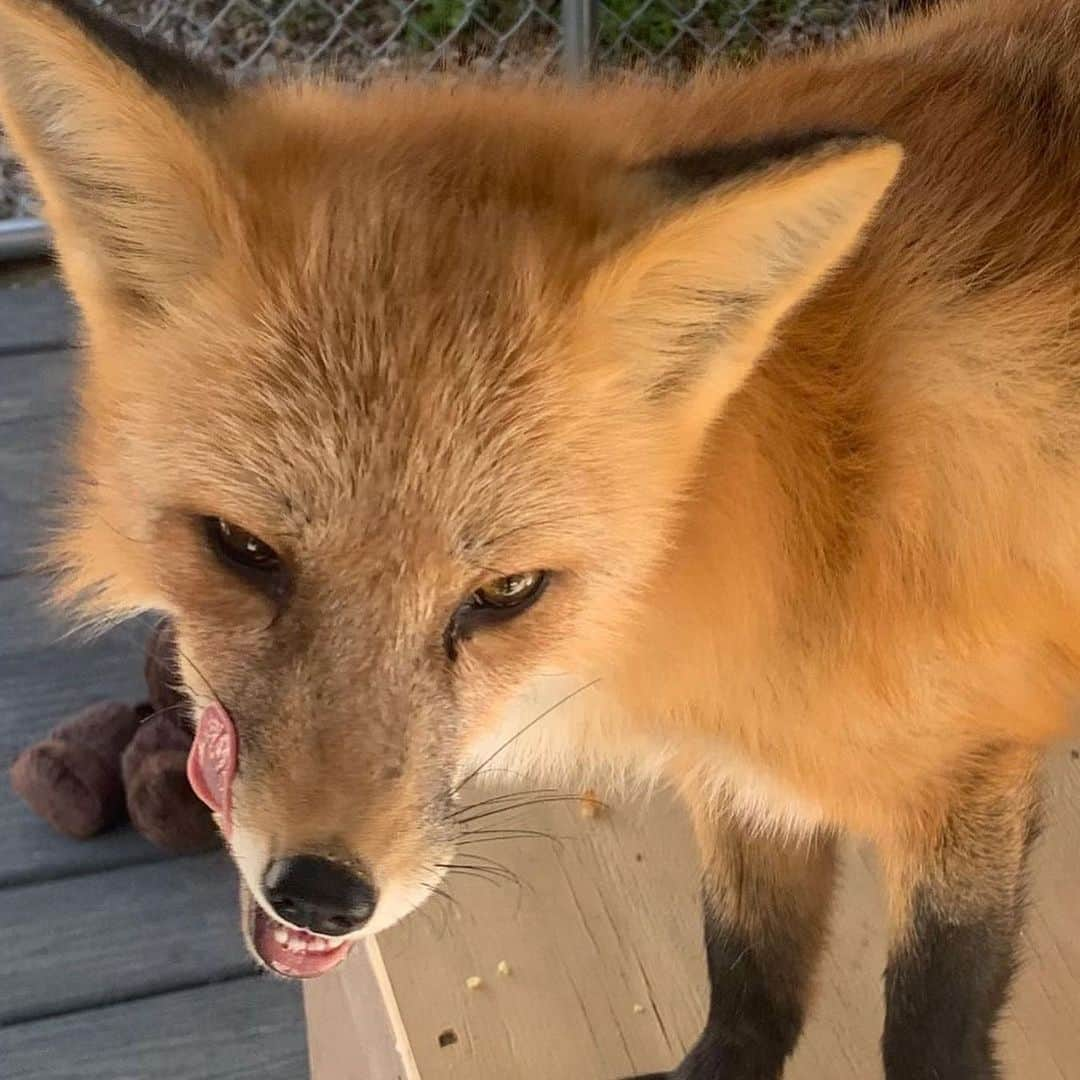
<point x="751" y="231"/>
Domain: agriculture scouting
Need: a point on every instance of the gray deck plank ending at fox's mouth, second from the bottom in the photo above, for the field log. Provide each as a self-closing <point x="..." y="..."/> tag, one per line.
<point x="106" y="938"/>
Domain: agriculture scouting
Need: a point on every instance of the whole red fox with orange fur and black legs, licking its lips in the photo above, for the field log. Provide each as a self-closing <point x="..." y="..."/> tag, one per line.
<point x="725" y="435"/>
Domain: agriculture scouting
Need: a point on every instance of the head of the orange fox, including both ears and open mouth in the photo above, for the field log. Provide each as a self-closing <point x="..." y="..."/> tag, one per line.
<point x="390" y="400"/>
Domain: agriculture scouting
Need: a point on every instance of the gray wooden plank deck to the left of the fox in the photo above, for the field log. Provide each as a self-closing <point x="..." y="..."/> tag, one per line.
<point x="120" y="964"/>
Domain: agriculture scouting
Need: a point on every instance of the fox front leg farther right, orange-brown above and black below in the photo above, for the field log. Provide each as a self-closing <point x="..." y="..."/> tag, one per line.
<point x="956" y="906"/>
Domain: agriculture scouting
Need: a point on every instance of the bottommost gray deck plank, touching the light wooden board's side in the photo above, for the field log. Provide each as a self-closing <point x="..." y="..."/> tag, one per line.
<point x="246" y="1030"/>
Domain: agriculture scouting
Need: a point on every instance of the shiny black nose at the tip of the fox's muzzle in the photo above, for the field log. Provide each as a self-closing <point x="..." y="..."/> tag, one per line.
<point x="320" y="895"/>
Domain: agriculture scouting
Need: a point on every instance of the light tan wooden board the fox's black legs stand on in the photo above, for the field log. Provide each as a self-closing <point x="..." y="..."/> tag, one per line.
<point x="609" y="971"/>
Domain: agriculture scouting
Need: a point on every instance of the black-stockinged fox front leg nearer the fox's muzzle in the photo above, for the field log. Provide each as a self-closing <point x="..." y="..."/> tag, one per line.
<point x="766" y="901"/>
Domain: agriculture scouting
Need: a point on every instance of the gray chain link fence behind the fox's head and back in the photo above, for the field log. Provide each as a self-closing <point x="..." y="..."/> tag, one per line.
<point x="361" y="38"/>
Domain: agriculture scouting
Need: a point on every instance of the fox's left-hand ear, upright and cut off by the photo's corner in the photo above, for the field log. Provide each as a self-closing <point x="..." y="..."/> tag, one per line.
<point x="113" y="129"/>
